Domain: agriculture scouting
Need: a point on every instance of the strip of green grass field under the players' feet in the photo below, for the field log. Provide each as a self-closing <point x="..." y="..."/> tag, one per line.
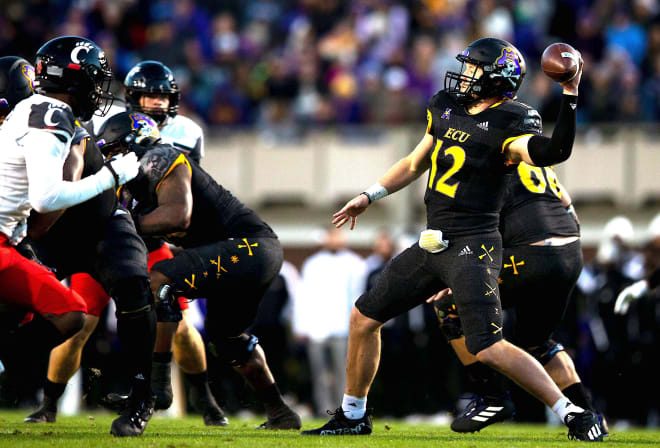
<point x="189" y="432"/>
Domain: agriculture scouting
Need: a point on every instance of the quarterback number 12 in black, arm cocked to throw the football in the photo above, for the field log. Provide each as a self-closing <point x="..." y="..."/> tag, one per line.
<point x="476" y="133"/>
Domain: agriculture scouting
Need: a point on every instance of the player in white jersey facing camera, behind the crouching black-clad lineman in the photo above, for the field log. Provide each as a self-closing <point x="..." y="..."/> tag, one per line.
<point x="149" y="86"/>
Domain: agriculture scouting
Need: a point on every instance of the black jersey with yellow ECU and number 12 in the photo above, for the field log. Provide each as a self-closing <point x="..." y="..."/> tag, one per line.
<point x="468" y="176"/>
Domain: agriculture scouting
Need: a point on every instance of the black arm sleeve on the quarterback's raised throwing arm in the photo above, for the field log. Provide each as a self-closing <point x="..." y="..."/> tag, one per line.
<point x="549" y="151"/>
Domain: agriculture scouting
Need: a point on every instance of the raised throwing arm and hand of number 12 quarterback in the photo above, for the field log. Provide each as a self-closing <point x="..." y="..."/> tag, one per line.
<point x="543" y="151"/>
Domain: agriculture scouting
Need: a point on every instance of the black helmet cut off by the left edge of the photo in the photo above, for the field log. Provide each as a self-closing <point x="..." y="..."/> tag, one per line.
<point x="16" y="82"/>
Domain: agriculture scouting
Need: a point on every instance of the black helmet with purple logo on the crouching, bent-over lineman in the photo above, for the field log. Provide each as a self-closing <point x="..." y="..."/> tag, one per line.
<point x="127" y="131"/>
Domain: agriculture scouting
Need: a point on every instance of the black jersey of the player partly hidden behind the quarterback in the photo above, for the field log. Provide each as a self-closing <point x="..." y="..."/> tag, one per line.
<point x="533" y="210"/>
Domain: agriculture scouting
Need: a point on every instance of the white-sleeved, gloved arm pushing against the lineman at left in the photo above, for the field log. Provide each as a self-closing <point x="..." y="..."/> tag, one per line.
<point x="44" y="158"/>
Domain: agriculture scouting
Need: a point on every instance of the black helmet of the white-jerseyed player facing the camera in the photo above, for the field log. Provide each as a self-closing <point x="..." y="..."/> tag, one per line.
<point x="152" y="77"/>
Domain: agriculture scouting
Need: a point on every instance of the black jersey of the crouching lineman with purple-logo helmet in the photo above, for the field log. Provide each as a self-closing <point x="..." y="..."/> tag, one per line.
<point x="217" y="214"/>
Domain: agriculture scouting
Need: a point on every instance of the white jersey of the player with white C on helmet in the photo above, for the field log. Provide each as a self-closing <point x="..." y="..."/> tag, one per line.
<point x="37" y="125"/>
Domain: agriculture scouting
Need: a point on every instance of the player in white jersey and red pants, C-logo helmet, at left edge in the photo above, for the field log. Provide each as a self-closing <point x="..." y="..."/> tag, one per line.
<point x="71" y="80"/>
